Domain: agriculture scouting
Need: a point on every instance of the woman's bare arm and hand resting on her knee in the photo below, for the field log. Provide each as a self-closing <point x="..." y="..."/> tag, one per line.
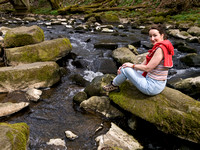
<point x="155" y="60"/>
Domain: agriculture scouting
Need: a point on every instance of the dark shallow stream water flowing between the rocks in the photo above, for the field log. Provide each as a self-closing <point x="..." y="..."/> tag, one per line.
<point x="55" y="112"/>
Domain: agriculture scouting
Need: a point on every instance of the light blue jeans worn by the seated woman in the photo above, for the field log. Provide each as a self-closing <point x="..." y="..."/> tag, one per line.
<point x="146" y="84"/>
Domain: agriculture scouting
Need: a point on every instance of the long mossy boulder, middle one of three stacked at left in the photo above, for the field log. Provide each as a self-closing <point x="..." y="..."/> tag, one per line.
<point x="50" y="50"/>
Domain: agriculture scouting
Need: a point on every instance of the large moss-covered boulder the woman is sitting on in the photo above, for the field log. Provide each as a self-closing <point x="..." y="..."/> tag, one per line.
<point x="171" y="111"/>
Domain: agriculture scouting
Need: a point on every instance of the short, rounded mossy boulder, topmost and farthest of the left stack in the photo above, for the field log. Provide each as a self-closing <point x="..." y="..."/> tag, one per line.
<point x="21" y="36"/>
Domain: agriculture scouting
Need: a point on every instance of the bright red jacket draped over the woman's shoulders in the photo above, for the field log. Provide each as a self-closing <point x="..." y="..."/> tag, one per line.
<point x="168" y="51"/>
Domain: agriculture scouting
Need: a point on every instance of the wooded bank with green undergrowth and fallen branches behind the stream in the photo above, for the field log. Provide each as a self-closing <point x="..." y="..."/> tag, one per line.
<point x="157" y="11"/>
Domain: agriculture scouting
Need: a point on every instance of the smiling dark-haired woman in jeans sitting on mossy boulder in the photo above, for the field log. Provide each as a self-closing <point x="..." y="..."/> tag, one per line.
<point x="155" y="67"/>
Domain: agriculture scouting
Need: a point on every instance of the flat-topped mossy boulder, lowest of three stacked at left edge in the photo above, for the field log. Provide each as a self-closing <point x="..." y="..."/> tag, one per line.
<point x="34" y="75"/>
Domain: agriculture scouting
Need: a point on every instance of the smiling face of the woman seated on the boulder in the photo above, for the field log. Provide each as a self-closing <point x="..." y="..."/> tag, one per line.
<point x="155" y="36"/>
